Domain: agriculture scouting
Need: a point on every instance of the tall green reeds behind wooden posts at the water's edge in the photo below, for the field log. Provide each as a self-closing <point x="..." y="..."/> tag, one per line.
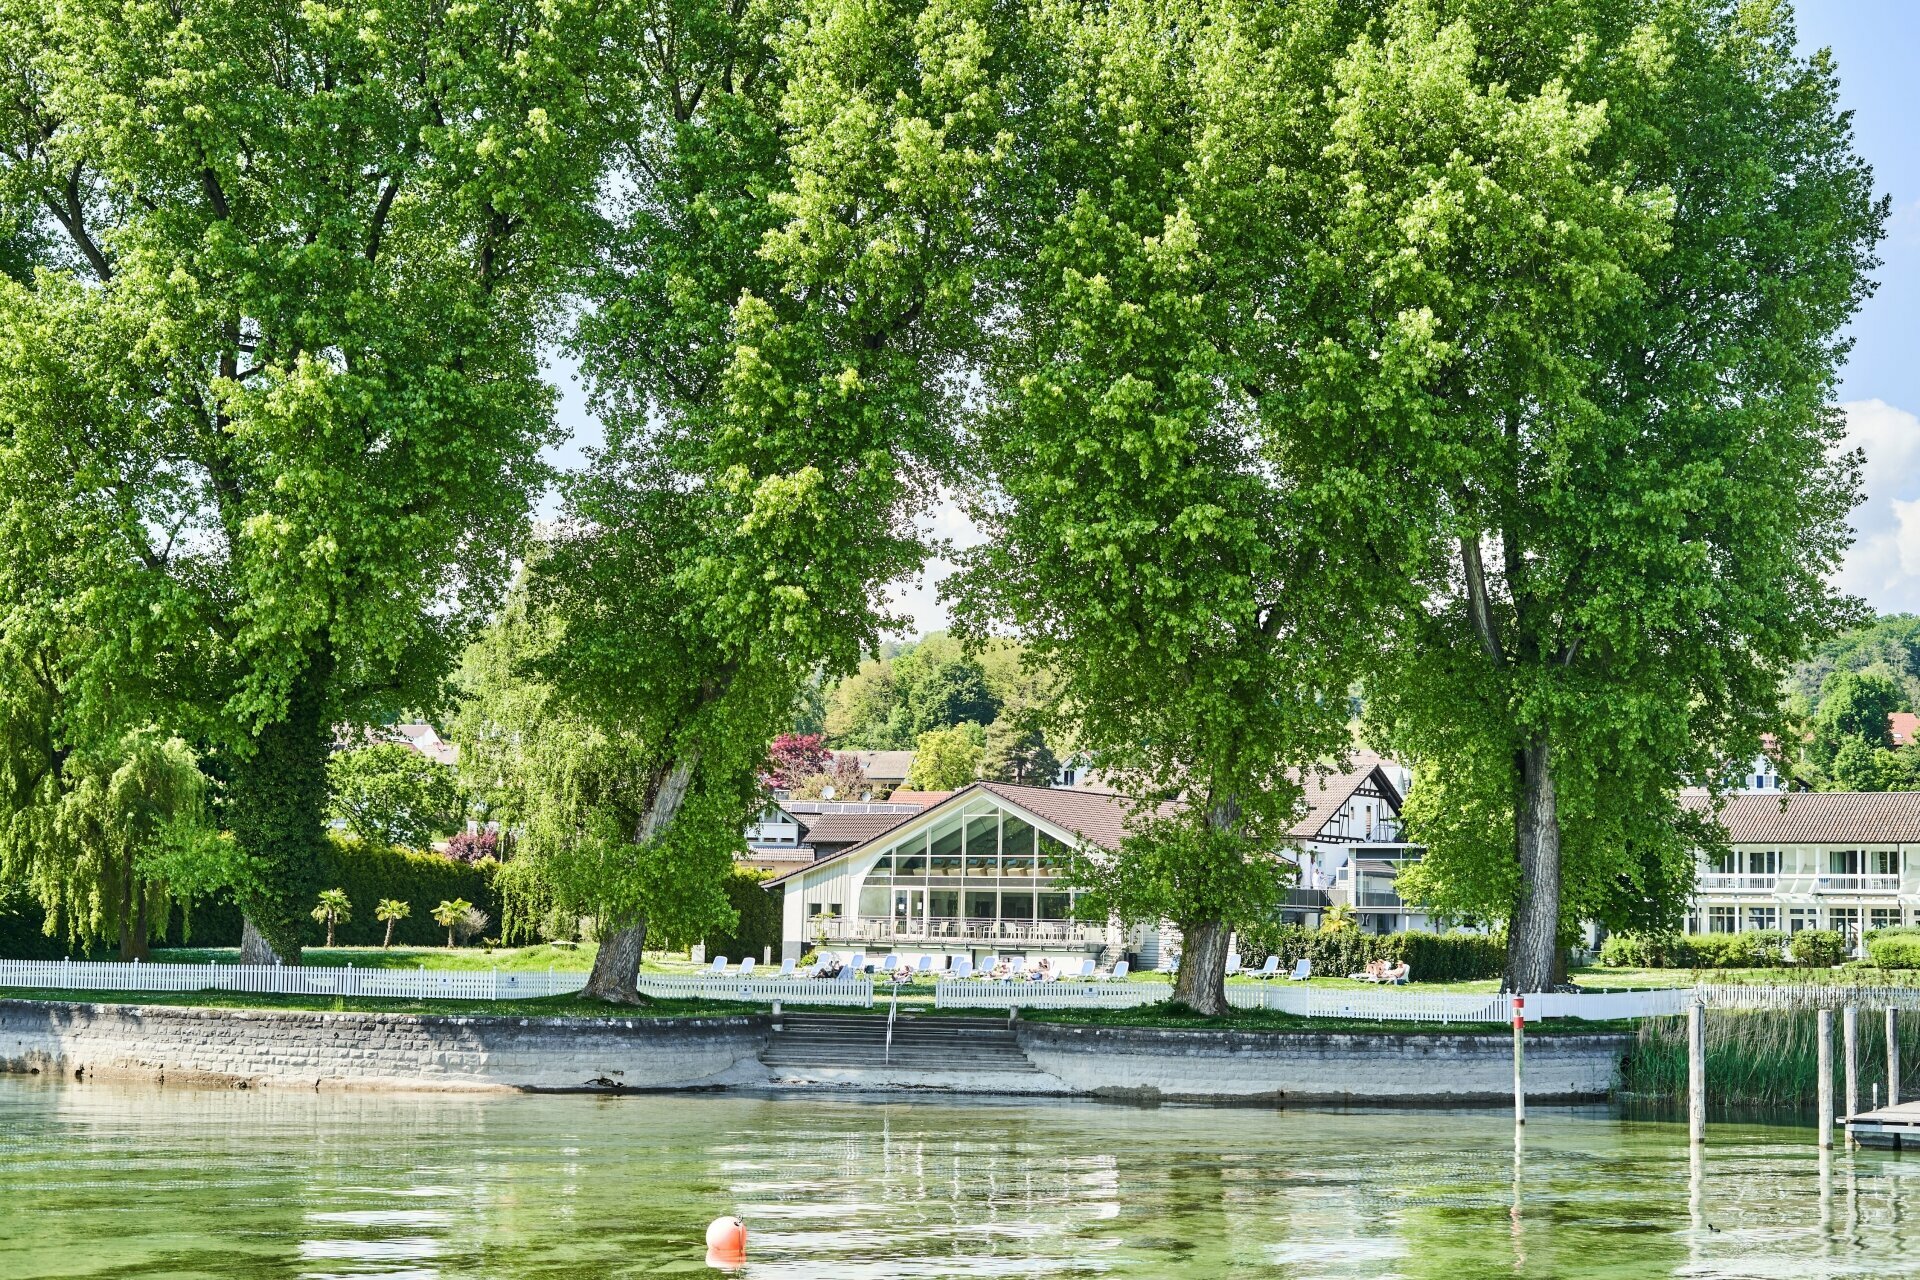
<point x="1767" y="1058"/>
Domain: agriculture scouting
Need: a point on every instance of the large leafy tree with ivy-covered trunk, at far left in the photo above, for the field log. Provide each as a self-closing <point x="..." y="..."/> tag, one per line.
<point x="279" y="381"/>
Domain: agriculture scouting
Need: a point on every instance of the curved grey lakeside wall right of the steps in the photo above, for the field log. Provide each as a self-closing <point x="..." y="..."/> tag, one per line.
<point x="1126" y="1062"/>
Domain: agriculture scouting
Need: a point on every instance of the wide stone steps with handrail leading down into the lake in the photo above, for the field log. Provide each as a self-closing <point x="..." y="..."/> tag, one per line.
<point x="926" y="1049"/>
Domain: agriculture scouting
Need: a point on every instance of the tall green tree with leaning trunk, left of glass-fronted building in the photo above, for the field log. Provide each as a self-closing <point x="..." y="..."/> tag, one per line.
<point x="769" y="348"/>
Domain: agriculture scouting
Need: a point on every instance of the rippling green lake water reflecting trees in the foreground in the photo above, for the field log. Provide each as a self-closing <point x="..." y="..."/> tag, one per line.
<point x="103" y="1181"/>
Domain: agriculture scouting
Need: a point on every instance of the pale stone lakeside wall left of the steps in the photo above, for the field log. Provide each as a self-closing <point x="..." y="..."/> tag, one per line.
<point x="377" y="1051"/>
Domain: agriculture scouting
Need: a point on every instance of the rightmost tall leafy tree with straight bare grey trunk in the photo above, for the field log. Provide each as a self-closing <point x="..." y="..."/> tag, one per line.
<point x="1608" y="256"/>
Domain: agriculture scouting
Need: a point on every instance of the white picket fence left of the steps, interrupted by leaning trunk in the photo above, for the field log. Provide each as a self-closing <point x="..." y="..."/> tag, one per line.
<point x="406" y="984"/>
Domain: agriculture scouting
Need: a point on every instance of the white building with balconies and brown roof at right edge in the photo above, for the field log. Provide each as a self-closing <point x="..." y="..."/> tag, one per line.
<point x="1842" y="861"/>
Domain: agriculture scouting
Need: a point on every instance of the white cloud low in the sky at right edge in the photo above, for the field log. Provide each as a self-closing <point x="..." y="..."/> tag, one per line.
<point x="1884" y="561"/>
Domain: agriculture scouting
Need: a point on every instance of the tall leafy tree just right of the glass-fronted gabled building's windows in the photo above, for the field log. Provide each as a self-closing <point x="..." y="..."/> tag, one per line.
<point x="1166" y="561"/>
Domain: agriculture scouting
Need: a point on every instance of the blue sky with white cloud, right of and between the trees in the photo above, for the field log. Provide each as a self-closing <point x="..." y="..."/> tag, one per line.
<point x="1875" y="45"/>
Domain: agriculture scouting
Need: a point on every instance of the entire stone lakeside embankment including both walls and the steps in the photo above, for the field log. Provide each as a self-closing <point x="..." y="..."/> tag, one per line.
<point x="926" y="1055"/>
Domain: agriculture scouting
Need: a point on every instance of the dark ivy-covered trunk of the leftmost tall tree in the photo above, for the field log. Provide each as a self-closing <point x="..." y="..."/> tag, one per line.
<point x="277" y="805"/>
